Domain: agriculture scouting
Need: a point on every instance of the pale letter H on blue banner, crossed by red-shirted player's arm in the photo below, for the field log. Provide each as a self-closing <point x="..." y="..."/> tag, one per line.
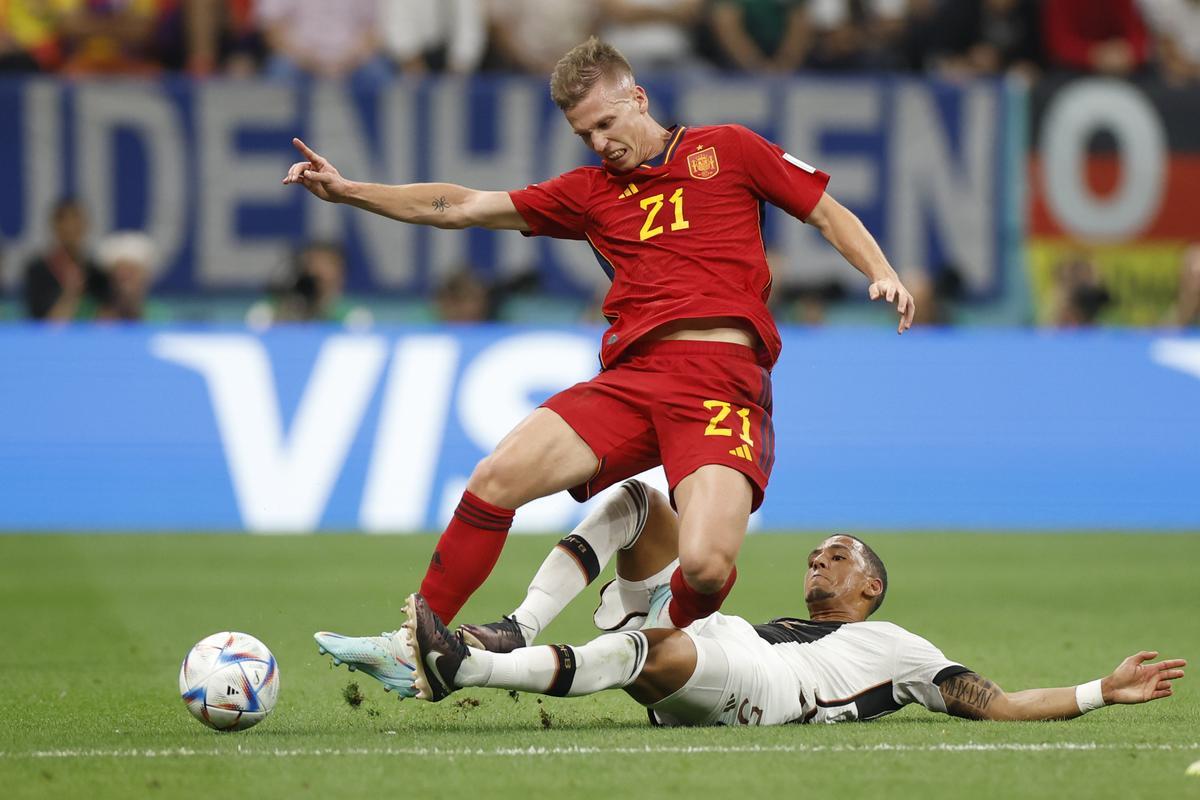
<point x="507" y="167"/>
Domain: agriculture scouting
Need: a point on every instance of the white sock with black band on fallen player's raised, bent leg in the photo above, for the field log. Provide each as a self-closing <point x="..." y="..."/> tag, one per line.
<point x="581" y="556"/>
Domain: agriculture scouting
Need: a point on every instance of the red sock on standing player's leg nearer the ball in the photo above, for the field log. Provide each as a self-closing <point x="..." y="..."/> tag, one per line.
<point x="466" y="555"/>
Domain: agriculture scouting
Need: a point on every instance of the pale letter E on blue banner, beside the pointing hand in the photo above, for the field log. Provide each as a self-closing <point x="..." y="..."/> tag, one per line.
<point x="227" y="178"/>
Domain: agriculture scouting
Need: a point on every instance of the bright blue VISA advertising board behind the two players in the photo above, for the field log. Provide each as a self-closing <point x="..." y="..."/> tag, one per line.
<point x="307" y="429"/>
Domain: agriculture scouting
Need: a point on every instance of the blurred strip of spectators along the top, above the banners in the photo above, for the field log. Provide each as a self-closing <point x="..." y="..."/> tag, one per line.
<point x="374" y="40"/>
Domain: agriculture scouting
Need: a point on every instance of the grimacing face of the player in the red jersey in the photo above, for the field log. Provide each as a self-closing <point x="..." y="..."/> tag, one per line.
<point x="609" y="121"/>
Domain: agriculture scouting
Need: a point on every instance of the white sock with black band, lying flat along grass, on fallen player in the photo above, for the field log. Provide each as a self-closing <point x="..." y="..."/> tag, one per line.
<point x="610" y="661"/>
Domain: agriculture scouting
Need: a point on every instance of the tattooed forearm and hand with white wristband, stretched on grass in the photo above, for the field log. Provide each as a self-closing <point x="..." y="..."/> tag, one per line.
<point x="975" y="697"/>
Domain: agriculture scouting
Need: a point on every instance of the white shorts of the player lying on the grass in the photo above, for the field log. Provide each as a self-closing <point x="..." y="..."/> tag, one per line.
<point x="739" y="681"/>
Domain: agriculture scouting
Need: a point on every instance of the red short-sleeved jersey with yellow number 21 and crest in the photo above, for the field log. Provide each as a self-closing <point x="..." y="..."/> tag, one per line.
<point x="682" y="238"/>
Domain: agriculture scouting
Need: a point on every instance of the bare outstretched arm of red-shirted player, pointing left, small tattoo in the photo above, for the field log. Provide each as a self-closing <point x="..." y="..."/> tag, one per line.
<point x="442" y="206"/>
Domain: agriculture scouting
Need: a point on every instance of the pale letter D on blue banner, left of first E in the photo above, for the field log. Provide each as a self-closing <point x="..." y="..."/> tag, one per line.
<point x="103" y="110"/>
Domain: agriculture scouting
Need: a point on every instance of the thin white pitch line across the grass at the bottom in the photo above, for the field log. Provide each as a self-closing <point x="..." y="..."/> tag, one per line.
<point x="508" y="753"/>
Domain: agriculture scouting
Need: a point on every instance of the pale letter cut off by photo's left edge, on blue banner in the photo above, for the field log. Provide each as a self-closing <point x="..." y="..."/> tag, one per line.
<point x="41" y="170"/>
